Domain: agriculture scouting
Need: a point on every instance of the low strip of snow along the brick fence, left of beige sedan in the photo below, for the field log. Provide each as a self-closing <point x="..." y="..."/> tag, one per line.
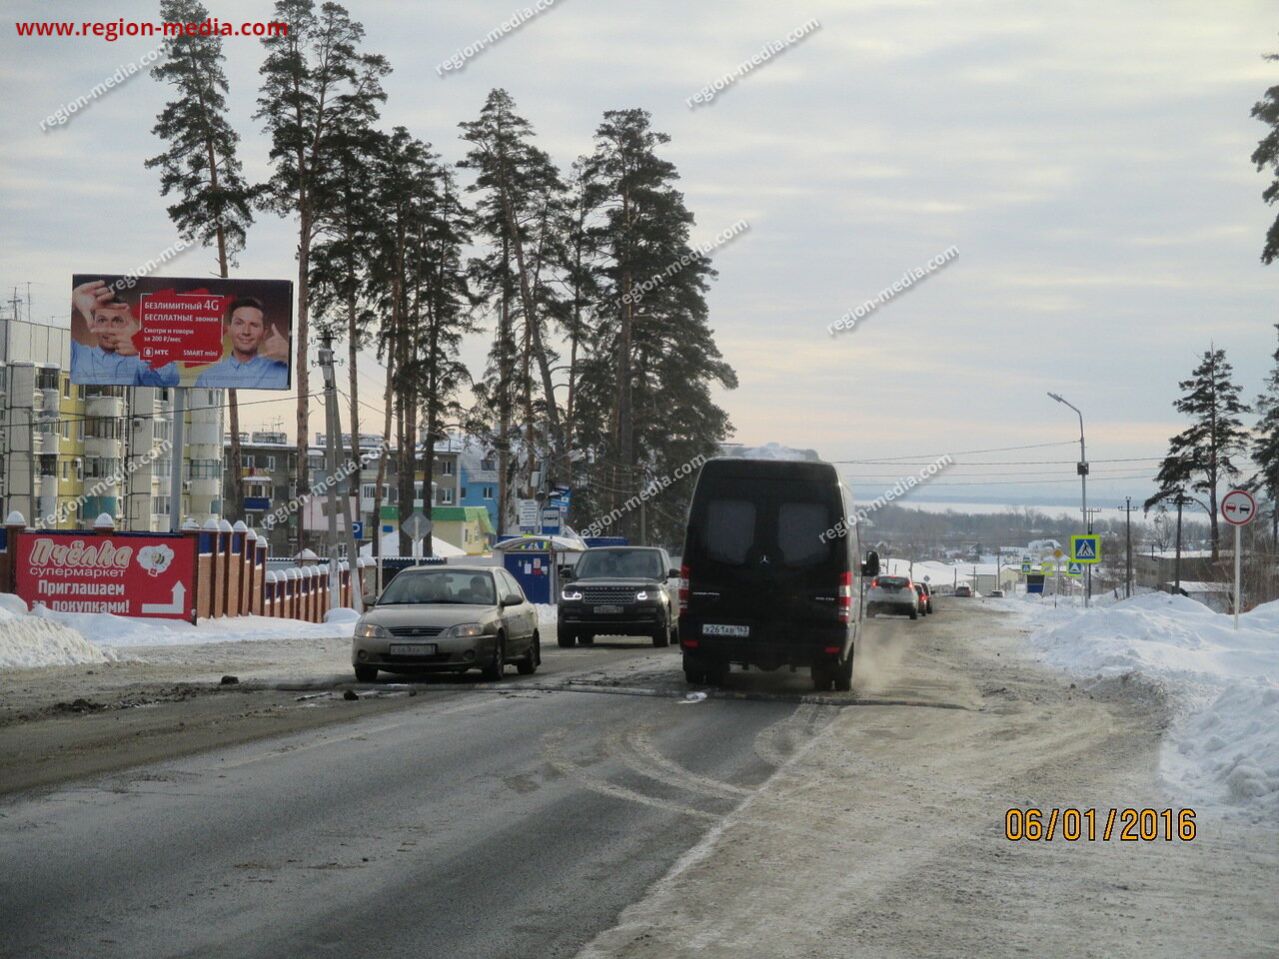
<point x="113" y="631"/>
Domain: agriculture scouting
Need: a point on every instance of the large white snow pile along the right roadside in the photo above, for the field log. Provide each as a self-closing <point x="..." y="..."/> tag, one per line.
<point x="1223" y="746"/>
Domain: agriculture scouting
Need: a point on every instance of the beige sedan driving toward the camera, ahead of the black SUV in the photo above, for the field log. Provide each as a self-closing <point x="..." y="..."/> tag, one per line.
<point x="448" y="620"/>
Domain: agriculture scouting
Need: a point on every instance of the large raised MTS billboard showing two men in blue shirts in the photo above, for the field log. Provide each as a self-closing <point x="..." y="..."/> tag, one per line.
<point x="167" y="332"/>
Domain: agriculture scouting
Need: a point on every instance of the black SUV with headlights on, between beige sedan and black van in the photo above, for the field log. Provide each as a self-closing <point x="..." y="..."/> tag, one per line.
<point x="621" y="591"/>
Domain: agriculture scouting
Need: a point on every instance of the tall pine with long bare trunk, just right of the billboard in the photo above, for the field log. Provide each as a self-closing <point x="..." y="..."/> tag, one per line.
<point x="310" y="79"/>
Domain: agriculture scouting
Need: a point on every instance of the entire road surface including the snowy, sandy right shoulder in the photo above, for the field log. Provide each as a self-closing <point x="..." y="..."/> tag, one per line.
<point x="593" y="810"/>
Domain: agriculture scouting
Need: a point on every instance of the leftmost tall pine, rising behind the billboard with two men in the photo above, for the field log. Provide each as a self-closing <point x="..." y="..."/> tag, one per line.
<point x="201" y="168"/>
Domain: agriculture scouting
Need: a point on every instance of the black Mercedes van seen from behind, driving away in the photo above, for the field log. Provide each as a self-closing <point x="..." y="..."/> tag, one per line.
<point x="771" y="572"/>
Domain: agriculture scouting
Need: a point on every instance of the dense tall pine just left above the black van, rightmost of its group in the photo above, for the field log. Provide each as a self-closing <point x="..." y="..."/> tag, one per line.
<point x="644" y="405"/>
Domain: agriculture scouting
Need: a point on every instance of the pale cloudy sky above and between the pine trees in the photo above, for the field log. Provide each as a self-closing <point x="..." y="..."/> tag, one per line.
<point x="1088" y="160"/>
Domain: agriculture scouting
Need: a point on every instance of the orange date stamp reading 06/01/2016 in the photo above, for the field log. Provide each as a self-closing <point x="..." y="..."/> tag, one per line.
<point x="1089" y="825"/>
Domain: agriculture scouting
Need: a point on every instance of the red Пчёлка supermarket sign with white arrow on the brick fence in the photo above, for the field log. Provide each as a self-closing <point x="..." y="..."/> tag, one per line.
<point x="130" y="576"/>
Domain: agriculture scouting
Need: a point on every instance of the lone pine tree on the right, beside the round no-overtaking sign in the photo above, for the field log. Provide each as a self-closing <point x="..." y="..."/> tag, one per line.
<point x="1202" y="457"/>
